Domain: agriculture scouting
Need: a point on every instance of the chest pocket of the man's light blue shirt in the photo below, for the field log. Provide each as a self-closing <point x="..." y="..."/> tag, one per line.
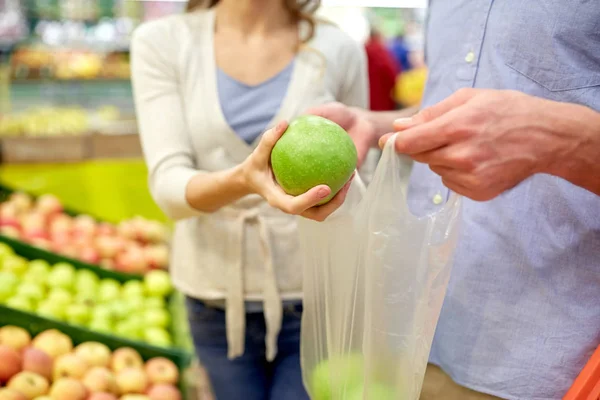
<point x="555" y="43"/>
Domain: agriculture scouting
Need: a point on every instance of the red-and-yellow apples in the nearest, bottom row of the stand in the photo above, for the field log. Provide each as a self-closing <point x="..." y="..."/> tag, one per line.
<point x="50" y="368"/>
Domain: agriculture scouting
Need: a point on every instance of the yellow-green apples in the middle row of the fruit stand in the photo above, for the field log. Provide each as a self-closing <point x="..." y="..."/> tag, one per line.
<point x="134" y="310"/>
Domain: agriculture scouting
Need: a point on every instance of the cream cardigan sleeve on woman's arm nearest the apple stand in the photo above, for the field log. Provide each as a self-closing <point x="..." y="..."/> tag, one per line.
<point x="161" y="122"/>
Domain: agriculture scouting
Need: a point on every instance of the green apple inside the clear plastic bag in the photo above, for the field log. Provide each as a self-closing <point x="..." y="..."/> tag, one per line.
<point x="335" y="375"/>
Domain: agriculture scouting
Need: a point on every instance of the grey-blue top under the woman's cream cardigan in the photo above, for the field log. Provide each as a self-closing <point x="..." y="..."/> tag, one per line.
<point x="248" y="109"/>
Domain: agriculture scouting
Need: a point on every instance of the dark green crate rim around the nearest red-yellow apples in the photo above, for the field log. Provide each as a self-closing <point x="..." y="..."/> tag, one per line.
<point x="35" y="324"/>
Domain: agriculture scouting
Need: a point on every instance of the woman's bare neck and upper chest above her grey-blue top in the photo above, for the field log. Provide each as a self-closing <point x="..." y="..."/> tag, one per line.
<point x="252" y="17"/>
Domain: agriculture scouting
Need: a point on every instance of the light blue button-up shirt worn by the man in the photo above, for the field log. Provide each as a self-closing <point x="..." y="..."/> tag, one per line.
<point x="522" y="312"/>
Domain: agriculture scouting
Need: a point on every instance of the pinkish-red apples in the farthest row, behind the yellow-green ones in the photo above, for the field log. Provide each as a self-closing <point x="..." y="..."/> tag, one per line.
<point x="134" y="246"/>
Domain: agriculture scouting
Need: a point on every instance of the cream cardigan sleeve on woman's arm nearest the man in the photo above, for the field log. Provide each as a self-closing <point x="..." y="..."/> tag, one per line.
<point x="355" y="82"/>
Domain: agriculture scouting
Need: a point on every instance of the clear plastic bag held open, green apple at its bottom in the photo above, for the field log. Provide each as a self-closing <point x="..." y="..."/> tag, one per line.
<point x="375" y="277"/>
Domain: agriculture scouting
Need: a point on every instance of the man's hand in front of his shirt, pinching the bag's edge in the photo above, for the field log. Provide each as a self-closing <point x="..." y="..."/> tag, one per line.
<point x="484" y="142"/>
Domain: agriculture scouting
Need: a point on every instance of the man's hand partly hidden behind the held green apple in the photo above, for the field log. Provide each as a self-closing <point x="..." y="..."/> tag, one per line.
<point x="360" y="129"/>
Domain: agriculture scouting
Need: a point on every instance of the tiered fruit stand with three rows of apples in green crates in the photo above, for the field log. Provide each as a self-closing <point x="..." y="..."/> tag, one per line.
<point x="56" y="295"/>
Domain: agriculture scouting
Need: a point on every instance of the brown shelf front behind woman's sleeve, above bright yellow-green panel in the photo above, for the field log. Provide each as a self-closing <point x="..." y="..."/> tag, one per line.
<point x="63" y="149"/>
